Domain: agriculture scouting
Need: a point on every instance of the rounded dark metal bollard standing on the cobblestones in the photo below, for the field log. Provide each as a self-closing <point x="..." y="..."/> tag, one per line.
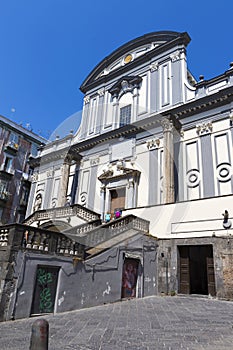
<point x="40" y="335"/>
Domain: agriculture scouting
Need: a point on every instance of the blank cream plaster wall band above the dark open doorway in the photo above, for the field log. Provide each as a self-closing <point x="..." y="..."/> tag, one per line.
<point x="193" y="218"/>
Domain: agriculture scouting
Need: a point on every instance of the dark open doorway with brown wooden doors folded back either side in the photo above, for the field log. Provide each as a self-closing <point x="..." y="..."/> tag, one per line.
<point x="196" y="270"/>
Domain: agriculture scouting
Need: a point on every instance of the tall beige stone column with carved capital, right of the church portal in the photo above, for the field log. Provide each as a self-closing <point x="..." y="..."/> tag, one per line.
<point x="168" y="164"/>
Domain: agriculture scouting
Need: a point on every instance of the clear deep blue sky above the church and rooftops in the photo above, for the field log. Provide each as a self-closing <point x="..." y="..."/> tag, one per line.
<point x="48" y="47"/>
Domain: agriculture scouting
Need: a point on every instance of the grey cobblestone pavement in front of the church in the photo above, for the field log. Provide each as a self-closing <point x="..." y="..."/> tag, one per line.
<point x="171" y="323"/>
